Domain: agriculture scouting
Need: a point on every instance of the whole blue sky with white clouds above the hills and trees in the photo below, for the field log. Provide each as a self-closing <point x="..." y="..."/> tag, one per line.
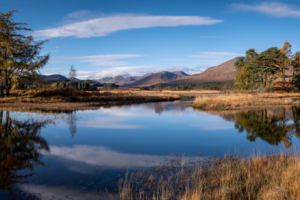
<point x="107" y="38"/>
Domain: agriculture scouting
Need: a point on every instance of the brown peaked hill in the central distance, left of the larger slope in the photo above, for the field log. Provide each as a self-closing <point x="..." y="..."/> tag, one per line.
<point x="160" y="77"/>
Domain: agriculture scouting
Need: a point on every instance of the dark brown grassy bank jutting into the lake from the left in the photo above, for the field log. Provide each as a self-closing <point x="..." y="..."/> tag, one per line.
<point x="66" y="98"/>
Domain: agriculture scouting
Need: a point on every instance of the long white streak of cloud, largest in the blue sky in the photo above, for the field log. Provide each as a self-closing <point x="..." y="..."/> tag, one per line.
<point x="103" y="26"/>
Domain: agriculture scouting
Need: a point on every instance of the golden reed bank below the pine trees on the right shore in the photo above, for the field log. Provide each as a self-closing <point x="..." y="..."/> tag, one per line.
<point x="245" y="101"/>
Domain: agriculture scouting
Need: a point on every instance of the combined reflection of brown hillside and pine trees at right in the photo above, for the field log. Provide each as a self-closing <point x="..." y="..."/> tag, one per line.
<point x="274" y="125"/>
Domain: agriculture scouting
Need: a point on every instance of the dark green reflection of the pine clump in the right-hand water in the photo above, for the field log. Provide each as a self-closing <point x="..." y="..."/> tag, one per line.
<point x="268" y="125"/>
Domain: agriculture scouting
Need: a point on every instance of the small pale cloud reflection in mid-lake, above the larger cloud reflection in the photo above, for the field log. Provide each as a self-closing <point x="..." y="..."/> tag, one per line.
<point x="109" y="123"/>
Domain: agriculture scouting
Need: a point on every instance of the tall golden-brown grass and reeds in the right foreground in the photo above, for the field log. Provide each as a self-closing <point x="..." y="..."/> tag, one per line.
<point x="232" y="177"/>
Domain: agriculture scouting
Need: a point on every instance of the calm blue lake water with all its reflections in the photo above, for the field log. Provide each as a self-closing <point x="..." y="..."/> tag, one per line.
<point x="83" y="154"/>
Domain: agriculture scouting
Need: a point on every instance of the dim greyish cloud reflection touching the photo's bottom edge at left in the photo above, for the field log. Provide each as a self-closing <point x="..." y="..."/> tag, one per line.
<point x="48" y="192"/>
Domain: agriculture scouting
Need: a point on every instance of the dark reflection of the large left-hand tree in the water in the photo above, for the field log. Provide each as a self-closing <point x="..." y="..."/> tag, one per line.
<point x="20" y="147"/>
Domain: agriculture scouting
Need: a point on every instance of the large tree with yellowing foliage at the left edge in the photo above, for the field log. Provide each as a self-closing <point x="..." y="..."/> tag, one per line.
<point x="20" y="59"/>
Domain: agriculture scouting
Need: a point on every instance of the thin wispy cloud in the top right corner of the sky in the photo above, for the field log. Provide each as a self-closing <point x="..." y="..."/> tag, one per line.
<point x="270" y="8"/>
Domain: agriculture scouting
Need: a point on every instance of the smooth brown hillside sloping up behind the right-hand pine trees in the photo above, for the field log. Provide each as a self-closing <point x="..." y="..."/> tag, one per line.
<point x="222" y="72"/>
